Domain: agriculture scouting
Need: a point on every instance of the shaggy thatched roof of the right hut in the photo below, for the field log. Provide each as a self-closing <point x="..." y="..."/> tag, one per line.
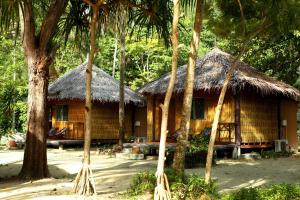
<point x="210" y="75"/>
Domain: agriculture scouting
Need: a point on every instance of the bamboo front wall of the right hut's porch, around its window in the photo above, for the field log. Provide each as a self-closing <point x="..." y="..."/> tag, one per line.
<point x="197" y="126"/>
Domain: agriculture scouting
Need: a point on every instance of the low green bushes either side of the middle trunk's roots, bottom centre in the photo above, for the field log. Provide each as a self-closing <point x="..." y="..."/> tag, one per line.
<point x="190" y="187"/>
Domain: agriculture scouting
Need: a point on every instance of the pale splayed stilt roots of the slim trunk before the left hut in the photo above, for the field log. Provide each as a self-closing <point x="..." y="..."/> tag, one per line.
<point x="84" y="182"/>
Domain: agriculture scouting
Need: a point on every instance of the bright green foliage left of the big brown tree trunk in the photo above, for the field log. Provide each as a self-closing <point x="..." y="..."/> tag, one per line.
<point x="13" y="93"/>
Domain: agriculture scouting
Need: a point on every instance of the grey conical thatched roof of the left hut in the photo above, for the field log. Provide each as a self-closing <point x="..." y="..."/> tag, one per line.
<point x="71" y="86"/>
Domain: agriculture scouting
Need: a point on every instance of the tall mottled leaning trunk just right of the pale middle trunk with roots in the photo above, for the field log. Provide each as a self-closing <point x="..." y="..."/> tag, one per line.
<point x="179" y="156"/>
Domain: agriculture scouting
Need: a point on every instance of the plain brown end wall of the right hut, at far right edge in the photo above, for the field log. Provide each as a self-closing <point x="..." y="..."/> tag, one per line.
<point x="288" y="111"/>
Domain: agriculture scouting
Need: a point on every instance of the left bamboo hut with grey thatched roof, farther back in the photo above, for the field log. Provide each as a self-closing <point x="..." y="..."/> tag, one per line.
<point x="66" y="98"/>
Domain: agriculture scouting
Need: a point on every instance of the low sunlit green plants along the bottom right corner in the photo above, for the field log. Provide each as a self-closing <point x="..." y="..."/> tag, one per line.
<point x="276" y="191"/>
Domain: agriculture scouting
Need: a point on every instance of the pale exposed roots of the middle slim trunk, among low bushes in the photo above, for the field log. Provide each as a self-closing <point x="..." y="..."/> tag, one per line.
<point x="162" y="190"/>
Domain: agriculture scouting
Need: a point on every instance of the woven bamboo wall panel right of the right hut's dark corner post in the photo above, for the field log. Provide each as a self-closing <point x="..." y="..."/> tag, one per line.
<point x="259" y="120"/>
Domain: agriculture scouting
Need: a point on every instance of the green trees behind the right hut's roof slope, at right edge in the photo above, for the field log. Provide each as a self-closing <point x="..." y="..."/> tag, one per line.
<point x="278" y="57"/>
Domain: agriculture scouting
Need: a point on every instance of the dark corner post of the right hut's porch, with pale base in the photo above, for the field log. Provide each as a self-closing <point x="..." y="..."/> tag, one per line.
<point x="237" y="111"/>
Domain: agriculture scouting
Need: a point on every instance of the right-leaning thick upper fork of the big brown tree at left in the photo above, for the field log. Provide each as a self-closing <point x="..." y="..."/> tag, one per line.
<point x="50" y="22"/>
